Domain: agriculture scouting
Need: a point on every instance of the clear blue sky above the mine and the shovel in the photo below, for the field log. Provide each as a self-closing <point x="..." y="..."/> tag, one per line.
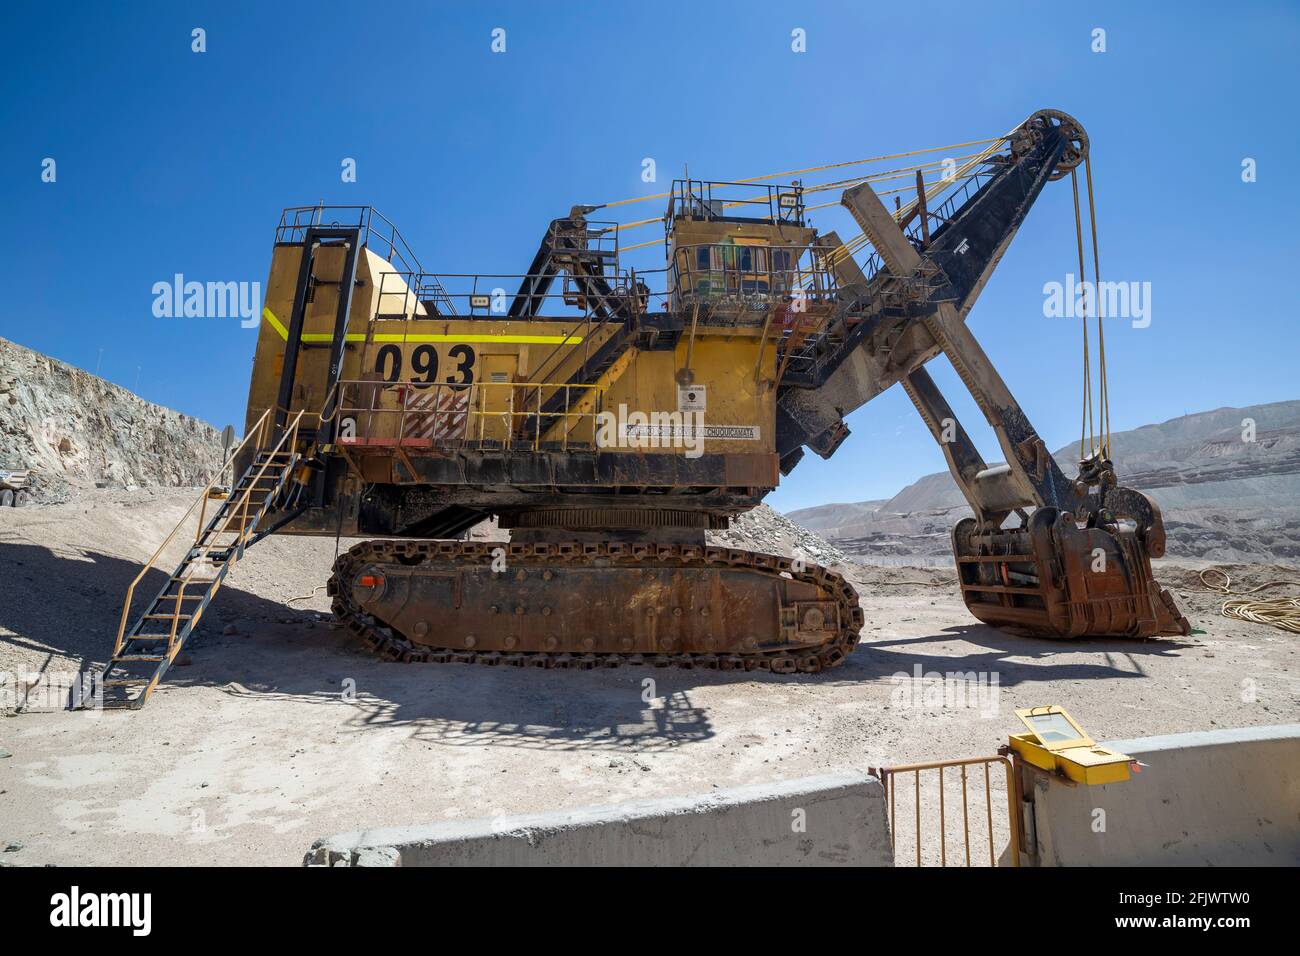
<point x="175" y="162"/>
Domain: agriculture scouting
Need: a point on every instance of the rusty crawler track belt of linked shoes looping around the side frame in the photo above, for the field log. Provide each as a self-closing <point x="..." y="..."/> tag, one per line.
<point x="448" y="557"/>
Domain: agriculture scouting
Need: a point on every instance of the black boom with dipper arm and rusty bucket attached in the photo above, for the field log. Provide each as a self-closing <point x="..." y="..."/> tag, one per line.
<point x="1081" y="565"/>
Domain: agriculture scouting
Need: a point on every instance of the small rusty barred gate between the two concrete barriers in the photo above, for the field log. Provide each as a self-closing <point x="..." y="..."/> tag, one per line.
<point x="935" y="815"/>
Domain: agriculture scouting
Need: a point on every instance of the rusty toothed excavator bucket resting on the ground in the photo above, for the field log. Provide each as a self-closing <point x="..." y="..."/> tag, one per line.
<point x="1055" y="578"/>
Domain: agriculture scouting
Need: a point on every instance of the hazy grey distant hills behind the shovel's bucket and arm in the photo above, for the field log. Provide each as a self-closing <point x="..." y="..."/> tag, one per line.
<point x="1223" y="498"/>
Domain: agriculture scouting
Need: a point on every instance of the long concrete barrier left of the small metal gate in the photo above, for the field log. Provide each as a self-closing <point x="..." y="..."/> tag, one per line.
<point x="816" y="821"/>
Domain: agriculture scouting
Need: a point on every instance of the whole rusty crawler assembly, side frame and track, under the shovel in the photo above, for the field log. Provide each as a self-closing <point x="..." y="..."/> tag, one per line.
<point x="595" y="605"/>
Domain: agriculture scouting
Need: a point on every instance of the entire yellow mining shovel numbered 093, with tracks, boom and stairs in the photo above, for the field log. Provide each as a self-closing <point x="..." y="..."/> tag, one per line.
<point x="609" y="418"/>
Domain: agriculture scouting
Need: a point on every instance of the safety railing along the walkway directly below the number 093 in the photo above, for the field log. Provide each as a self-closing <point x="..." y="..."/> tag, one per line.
<point x="484" y="416"/>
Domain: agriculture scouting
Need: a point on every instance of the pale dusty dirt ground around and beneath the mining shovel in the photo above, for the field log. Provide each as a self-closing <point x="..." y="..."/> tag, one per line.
<point x="280" y="730"/>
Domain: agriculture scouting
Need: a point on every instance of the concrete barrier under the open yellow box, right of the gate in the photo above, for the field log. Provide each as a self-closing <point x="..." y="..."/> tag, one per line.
<point x="1227" y="798"/>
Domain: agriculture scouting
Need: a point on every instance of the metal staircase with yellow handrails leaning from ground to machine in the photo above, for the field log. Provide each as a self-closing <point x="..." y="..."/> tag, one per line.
<point x="144" y="654"/>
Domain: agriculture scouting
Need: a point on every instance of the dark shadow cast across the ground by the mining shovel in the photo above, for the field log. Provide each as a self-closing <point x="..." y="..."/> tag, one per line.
<point x="289" y="655"/>
